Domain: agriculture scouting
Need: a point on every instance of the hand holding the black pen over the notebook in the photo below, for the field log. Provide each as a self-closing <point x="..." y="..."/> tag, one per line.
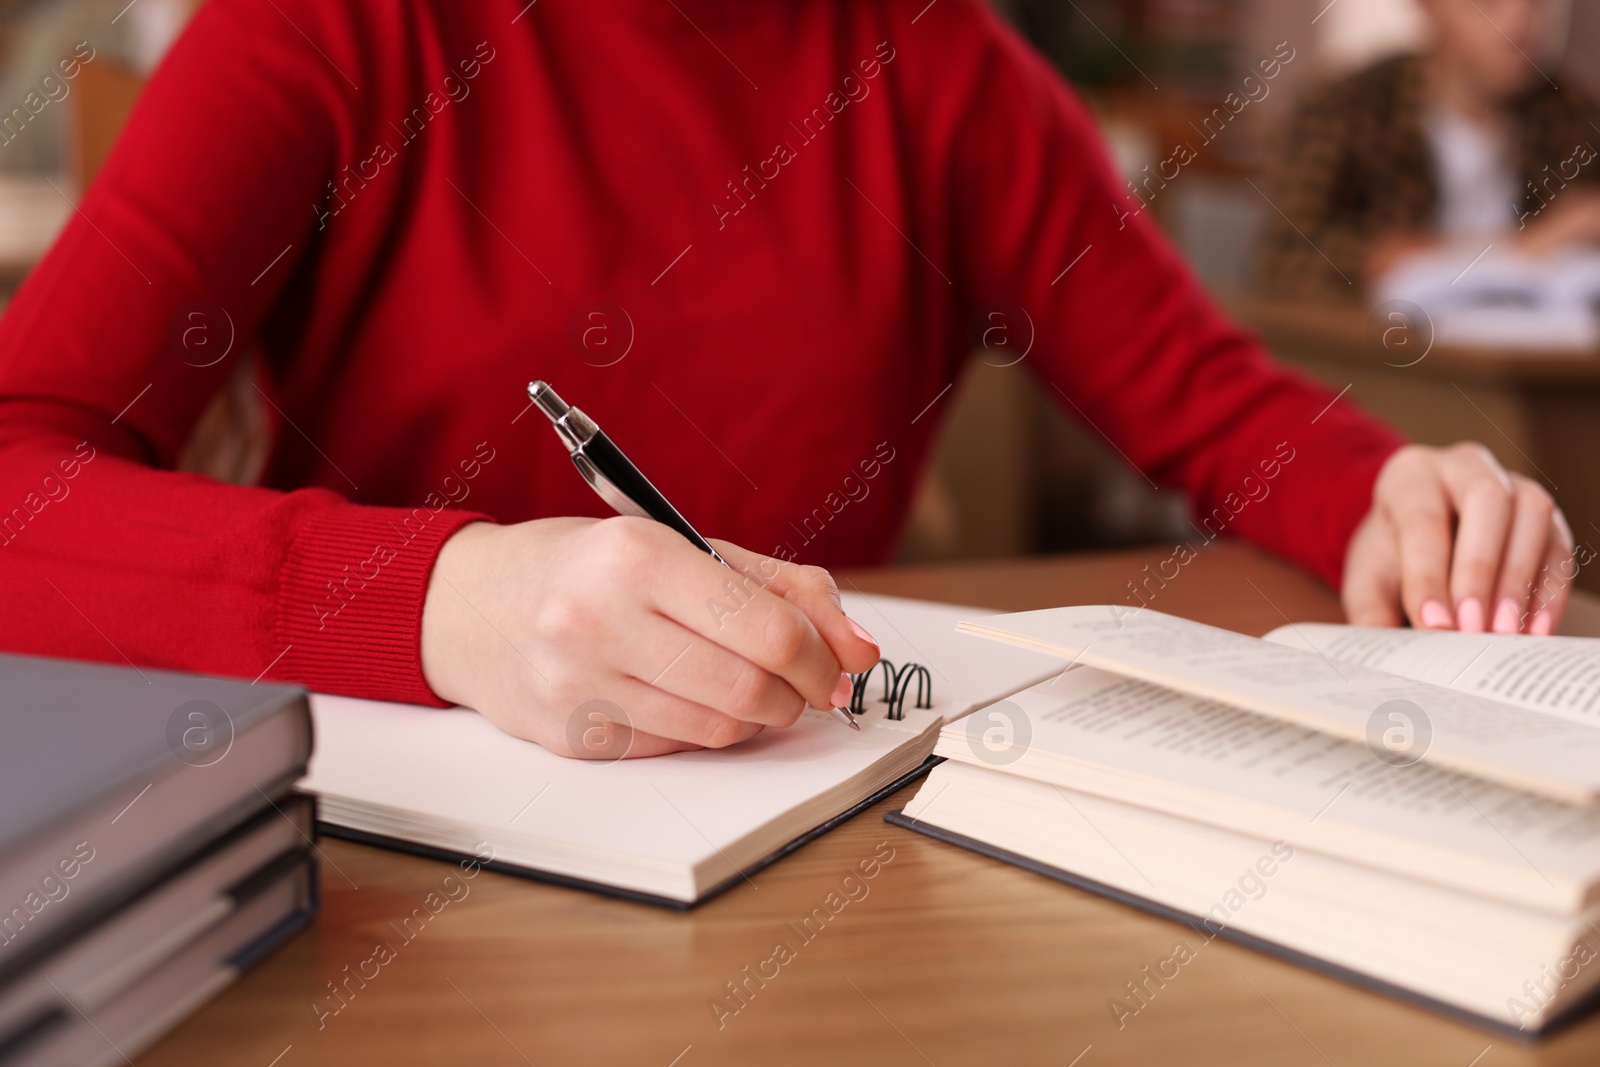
<point x="614" y="637"/>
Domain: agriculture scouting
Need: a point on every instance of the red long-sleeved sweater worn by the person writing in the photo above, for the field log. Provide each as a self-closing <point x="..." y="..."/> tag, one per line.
<point x="754" y="241"/>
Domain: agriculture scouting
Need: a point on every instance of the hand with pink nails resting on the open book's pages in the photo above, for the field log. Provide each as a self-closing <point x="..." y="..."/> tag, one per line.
<point x="1457" y="543"/>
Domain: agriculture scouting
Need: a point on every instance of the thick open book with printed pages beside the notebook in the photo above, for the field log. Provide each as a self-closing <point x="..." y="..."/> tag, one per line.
<point x="1407" y="809"/>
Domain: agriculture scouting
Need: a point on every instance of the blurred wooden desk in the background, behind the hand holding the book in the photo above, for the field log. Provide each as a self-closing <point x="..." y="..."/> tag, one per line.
<point x="1538" y="410"/>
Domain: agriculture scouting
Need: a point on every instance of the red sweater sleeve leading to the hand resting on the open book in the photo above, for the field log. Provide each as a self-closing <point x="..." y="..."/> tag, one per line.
<point x="1126" y="338"/>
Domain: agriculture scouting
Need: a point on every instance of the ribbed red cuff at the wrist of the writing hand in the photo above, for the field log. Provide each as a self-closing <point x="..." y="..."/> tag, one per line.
<point x="350" y="604"/>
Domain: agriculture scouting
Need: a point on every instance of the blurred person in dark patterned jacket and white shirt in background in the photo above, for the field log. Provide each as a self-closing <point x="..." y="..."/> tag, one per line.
<point x="1476" y="138"/>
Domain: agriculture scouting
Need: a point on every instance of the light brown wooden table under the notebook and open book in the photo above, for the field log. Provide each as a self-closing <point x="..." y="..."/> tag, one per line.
<point x="951" y="959"/>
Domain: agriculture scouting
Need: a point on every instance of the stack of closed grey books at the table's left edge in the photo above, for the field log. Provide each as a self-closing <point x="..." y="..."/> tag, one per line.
<point x="151" y="850"/>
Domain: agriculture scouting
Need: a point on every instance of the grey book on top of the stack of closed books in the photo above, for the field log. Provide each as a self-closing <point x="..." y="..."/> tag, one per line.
<point x="110" y="773"/>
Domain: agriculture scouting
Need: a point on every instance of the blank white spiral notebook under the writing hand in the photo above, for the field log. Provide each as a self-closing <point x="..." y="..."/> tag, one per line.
<point x="674" y="829"/>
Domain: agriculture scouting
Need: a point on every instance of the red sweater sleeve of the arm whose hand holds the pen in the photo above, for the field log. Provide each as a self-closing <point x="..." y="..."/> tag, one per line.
<point x="206" y="207"/>
